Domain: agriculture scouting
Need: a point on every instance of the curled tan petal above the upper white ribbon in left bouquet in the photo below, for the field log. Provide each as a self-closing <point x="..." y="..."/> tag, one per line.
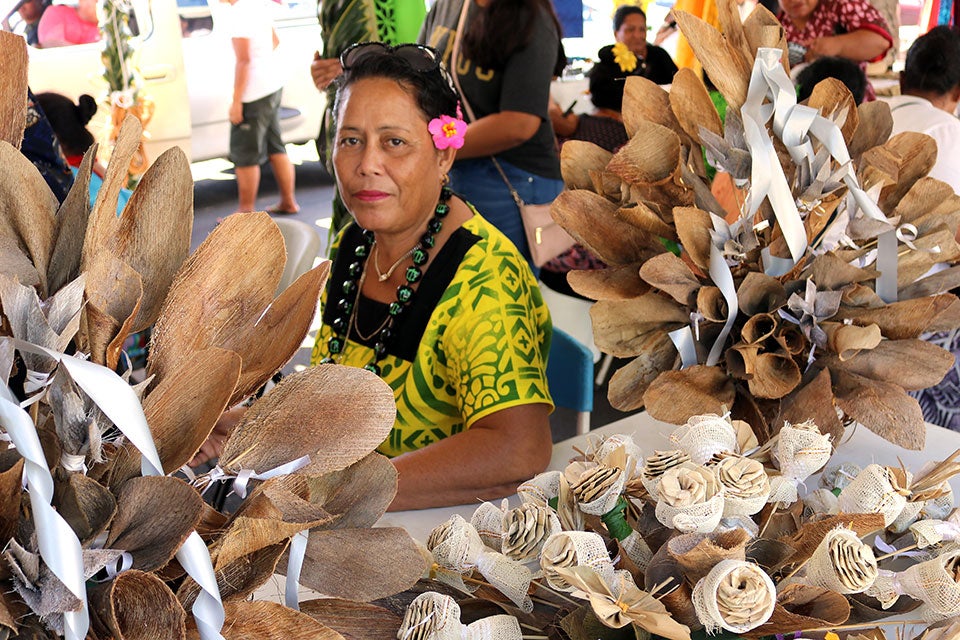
<point x="114" y="294"/>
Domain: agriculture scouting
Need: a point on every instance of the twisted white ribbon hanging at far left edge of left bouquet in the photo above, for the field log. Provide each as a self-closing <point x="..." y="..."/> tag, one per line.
<point x="58" y="544"/>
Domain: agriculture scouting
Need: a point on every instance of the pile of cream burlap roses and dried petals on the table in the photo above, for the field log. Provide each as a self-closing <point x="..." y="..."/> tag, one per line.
<point x="723" y="542"/>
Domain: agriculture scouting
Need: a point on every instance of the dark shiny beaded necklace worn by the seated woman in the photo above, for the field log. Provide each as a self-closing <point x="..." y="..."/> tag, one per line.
<point x="350" y="291"/>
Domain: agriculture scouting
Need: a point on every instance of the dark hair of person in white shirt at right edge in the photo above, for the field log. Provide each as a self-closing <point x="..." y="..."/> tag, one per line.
<point x="933" y="63"/>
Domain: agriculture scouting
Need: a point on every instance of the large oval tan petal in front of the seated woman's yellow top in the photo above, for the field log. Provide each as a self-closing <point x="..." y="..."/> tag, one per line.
<point x="324" y="402"/>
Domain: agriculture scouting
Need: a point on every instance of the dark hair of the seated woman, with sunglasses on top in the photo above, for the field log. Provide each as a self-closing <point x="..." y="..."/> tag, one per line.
<point x="431" y="90"/>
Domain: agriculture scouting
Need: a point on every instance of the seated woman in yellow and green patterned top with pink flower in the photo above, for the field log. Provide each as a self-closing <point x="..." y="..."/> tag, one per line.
<point x="428" y="294"/>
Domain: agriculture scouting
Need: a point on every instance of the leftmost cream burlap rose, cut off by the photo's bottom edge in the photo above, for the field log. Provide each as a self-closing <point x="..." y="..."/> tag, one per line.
<point x="434" y="616"/>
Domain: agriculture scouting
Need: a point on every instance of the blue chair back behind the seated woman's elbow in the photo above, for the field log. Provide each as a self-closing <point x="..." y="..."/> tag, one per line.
<point x="570" y="376"/>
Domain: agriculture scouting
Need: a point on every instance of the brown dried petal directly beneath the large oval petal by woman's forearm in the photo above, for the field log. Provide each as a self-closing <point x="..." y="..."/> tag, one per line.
<point x="359" y="494"/>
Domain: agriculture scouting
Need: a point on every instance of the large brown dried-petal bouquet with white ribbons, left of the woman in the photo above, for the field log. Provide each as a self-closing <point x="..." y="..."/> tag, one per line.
<point x="101" y="536"/>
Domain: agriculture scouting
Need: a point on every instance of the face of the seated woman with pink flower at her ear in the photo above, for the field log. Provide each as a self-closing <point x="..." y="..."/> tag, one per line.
<point x="388" y="170"/>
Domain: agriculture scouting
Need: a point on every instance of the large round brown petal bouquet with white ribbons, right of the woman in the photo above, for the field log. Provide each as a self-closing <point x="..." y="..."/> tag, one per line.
<point x="806" y="296"/>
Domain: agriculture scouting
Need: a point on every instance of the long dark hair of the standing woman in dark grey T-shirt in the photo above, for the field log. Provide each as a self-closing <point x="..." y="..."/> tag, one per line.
<point x="502" y="28"/>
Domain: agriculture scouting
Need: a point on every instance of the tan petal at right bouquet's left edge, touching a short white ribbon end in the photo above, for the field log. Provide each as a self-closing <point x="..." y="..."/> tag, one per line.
<point x="620" y="327"/>
